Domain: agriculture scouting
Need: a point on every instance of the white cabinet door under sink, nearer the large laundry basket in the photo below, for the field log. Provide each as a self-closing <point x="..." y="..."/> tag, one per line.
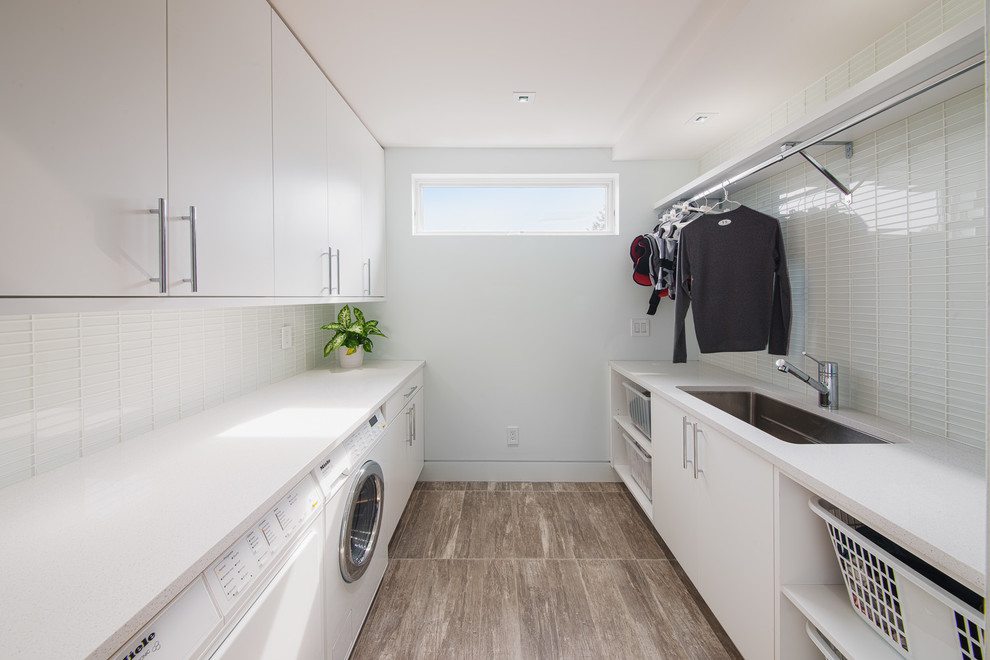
<point x="735" y="533"/>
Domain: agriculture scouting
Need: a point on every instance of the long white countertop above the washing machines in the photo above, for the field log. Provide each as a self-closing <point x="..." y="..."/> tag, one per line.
<point x="91" y="551"/>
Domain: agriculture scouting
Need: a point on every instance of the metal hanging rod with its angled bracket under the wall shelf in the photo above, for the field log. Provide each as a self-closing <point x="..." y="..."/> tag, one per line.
<point x="791" y="148"/>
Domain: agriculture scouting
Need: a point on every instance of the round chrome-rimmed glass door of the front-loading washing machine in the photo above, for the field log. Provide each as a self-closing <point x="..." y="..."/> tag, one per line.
<point x="362" y="521"/>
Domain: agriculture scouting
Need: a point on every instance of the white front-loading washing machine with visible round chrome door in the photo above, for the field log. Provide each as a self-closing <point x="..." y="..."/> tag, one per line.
<point x="353" y="477"/>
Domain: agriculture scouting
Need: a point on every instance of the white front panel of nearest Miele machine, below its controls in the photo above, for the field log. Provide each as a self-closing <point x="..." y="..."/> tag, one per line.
<point x="286" y="621"/>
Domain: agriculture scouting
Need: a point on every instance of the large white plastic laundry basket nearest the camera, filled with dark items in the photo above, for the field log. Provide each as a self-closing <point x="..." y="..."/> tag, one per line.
<point x="921" y="612"/>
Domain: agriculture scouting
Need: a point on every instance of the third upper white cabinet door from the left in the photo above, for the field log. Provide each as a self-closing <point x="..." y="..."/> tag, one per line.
<point x="302" y="260"/>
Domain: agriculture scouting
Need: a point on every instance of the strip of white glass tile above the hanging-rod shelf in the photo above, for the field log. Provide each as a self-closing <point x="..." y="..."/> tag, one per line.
<point x="920" y="29"/>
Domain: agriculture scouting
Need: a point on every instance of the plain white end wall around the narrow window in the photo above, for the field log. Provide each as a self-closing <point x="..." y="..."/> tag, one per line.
<point x="518" y="330"/>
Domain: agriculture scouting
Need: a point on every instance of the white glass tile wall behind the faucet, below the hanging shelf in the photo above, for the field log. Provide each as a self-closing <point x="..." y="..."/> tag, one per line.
<point x="893" y="286"/>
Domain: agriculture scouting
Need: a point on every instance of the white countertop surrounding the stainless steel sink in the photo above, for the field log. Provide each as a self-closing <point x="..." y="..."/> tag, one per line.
<point x="925" y="493"/>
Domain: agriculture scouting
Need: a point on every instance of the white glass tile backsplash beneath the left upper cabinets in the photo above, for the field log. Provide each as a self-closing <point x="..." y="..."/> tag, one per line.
<point x="72" y="384"/>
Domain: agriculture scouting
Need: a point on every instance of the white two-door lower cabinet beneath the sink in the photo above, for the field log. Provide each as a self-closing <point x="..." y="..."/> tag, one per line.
<point x="713" y="506"/>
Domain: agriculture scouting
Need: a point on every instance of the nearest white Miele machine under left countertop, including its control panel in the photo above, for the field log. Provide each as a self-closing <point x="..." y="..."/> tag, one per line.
<point x="262" y="599"/>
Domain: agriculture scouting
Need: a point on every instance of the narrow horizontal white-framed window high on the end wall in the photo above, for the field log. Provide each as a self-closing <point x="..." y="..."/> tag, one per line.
<point x="540" y="204"/>
